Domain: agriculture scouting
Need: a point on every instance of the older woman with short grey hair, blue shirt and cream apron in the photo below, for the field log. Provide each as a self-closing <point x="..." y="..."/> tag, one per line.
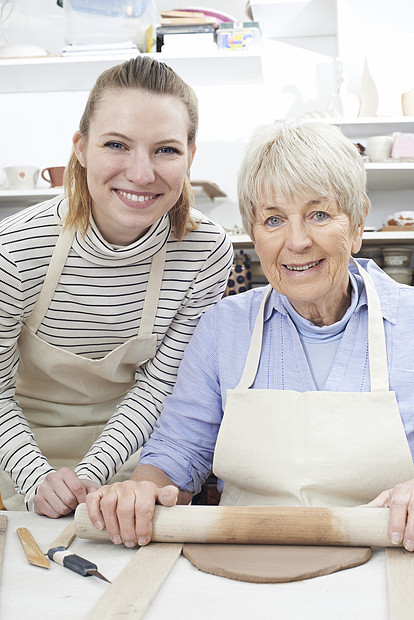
<point x="300" y="393"/>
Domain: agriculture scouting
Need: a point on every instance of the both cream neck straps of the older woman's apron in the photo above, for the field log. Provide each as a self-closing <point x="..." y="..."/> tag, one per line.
<point x="376" y="339"/>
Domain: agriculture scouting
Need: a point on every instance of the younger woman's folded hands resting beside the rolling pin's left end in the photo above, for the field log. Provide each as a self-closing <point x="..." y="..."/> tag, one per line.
<point x="60" y="493"/>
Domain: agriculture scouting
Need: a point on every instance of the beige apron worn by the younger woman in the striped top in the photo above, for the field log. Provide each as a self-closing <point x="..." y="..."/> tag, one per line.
<point x="66" y="398"/>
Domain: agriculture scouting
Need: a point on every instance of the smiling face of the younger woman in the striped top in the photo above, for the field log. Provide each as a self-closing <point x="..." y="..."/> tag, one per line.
<point x="136" y="157"/>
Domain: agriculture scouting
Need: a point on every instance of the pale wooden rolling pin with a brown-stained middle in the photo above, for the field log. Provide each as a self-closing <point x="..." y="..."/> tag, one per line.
<point x="352" y="527"/>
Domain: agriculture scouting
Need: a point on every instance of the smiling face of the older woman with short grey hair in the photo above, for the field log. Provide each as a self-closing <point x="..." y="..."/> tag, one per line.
<point x="304" y="246"/>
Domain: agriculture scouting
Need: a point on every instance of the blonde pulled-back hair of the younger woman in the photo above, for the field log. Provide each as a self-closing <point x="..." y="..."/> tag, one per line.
<point x="142" y="73"/>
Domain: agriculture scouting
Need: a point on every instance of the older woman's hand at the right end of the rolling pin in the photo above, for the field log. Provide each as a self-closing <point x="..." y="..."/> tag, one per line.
<point x="400" y="501"/>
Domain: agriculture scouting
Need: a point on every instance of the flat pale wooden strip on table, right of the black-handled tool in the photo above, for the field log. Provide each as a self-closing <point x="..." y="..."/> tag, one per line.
<point x="138" y="584"/>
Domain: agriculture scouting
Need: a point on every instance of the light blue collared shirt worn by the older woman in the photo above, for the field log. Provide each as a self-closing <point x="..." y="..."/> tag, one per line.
<point x="182" y="444"/>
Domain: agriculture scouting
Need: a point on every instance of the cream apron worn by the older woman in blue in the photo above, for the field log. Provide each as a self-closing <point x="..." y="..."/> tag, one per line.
<point x="313" y="448"/>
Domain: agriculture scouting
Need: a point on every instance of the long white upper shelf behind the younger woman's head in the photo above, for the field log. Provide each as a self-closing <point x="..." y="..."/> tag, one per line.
<point x="54" y="73"/>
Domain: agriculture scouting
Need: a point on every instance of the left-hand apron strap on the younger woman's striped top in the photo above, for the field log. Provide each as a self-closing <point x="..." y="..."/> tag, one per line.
<point x="57" y="262"/>
